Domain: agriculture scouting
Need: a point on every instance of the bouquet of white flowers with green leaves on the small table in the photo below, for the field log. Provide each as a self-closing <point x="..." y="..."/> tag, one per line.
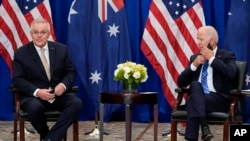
<point x="130" y="72"/>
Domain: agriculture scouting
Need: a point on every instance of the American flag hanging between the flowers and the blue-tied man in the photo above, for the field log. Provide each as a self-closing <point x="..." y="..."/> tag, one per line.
<point x="169" y="39"/>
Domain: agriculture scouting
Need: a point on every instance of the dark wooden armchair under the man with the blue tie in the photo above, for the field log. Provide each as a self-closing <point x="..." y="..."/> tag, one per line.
<point x="180" y="115"/>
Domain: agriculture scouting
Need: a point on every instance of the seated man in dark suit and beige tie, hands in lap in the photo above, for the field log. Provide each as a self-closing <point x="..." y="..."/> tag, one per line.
<point x="46" y="87"/>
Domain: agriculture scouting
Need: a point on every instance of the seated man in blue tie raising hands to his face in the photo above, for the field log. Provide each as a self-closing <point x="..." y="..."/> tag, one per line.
<point x="221" y="72"/>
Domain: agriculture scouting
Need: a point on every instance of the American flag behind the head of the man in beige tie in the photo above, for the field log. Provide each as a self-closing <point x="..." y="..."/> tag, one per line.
<point x="15" y="20"/>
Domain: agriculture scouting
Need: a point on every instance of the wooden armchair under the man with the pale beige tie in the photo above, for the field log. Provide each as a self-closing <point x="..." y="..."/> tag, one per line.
<point x="21" y="116"/>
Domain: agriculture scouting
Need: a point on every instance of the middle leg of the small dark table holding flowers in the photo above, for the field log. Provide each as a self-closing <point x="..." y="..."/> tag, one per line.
<point x="128" y="122"/>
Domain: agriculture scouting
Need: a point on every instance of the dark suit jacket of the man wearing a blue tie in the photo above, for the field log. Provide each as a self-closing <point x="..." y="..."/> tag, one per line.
<point x="224" y="72"/>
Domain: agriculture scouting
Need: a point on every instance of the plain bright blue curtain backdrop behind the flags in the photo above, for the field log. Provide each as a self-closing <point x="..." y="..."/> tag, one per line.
<point x="216" y="14"/>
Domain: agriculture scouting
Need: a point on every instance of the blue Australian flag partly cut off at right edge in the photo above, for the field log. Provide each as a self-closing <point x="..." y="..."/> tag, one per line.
<point x="237" y="39"/>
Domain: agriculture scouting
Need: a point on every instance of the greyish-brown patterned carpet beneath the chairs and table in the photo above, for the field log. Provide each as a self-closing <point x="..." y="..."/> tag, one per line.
<point x="116" y="130"/>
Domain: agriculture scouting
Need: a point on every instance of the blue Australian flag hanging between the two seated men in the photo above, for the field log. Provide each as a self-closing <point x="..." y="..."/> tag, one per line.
<point x="98" y="41"/>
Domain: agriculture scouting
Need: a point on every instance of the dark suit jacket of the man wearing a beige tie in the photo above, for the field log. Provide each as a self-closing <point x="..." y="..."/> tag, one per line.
<point x="29" y="73"/>
